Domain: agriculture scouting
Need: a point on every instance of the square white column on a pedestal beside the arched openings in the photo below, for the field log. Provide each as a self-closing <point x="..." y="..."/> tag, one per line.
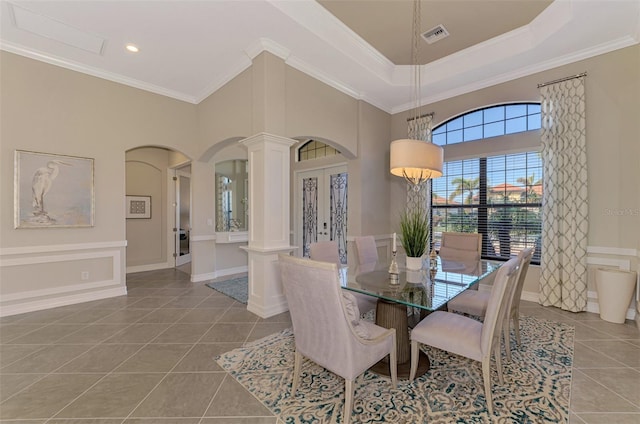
<point x="269" y="224"/>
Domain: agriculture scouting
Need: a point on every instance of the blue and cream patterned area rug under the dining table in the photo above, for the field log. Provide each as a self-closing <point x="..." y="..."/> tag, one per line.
<point x="536" y="390"/>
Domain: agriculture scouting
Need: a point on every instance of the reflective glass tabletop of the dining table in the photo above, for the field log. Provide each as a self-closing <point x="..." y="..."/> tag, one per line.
<point x="425" y="289"/>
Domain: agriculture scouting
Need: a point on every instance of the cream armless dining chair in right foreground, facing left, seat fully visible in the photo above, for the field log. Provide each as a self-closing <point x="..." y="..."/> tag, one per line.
<point x="466" y="336"/>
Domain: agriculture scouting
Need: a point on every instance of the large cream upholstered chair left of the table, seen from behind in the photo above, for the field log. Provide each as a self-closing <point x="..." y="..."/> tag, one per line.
<point x="327" y="327"/>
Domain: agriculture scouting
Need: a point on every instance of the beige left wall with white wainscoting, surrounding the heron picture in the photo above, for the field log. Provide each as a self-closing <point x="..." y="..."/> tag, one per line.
<point x="54" y="110"/>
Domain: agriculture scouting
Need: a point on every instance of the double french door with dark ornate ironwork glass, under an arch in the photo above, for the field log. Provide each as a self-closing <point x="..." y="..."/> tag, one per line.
<point x="321" y="208"/>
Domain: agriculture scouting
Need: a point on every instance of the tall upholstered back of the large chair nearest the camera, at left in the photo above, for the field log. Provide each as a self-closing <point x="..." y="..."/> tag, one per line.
<point x="321" y="330"/>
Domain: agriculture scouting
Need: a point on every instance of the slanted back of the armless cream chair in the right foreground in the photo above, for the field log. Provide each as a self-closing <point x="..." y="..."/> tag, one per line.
<point x="496" y="306"/>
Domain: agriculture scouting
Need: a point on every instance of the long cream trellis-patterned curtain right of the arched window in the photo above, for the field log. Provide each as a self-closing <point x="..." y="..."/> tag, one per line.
<point x="563" y="279"/>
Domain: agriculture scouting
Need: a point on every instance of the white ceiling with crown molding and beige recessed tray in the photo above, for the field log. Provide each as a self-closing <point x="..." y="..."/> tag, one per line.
<point x="189" y="49"/>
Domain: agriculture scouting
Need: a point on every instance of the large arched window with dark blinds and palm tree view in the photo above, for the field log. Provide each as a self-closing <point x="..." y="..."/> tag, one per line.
<point x="499" y="196"/>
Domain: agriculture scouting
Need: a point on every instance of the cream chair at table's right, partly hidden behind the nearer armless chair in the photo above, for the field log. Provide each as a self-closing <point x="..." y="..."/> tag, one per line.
<point x="475" y="302"/>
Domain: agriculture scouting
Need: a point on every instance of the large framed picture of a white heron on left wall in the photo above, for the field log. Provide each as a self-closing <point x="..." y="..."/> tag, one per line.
<point x="53" y="191"/>
